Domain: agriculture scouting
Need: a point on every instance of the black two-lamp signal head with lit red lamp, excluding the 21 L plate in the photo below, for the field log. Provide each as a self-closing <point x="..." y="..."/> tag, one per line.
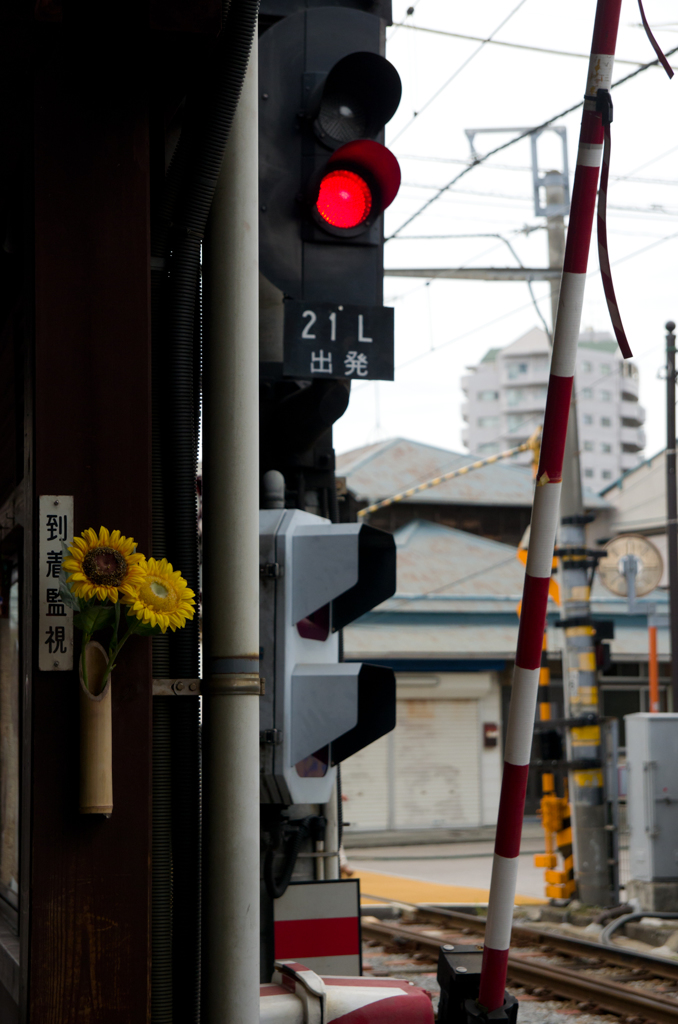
<point x="326" y="178"/>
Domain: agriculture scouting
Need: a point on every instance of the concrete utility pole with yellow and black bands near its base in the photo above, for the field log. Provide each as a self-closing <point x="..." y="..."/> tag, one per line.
<point x="580" y="672"/>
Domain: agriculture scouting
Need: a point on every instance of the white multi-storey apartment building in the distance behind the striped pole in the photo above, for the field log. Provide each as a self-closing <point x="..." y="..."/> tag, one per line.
<point x="505" y="396"/>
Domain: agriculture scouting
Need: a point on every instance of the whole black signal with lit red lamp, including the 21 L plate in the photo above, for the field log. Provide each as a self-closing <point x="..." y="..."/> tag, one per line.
<point x="326" y="93"/>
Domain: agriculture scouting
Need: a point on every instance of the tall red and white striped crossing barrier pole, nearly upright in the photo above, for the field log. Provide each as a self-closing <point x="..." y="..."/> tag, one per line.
<point x="545" y="517"/>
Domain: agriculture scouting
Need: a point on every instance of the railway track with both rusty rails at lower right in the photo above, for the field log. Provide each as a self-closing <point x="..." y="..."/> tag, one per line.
<point x="576" y="982"/>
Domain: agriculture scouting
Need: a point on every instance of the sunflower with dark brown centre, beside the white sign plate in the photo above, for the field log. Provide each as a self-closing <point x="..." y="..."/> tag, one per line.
<point x="104" y="567"/>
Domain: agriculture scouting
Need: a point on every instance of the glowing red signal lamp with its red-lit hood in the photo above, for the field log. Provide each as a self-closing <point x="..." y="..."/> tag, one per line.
<point x="358" y="183"/>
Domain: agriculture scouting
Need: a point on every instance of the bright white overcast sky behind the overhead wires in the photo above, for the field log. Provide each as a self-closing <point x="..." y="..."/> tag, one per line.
<point x="446" y="326"/>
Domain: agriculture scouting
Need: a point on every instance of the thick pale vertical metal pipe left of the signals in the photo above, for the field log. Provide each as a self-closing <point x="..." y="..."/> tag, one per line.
<point x="231" y="574"/>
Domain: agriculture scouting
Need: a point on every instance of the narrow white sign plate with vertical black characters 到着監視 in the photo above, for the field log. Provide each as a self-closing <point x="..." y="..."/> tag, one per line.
<point x="56" y="637"/>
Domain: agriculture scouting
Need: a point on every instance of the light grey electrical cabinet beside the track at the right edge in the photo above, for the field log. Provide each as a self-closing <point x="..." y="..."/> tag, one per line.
<point x="652" y="753"/>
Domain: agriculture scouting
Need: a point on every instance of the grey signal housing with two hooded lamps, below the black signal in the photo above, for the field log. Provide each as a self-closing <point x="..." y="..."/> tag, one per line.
<point x="317" y="578"/>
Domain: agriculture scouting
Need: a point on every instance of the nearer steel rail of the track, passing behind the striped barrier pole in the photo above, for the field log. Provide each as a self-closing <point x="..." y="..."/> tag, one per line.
<point x="608" y="994"/>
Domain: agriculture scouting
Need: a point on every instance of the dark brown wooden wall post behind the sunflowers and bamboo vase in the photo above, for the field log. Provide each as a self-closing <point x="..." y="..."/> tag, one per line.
<point x="91" y="878"/>
